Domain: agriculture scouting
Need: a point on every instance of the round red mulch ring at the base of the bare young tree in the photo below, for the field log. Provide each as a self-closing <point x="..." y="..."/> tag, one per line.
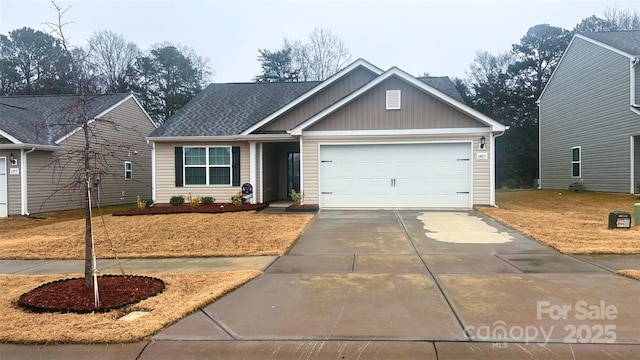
<point x="70" y="295"/>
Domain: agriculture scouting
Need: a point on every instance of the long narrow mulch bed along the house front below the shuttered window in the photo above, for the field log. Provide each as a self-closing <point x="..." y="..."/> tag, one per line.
<point x="209" y="209"/>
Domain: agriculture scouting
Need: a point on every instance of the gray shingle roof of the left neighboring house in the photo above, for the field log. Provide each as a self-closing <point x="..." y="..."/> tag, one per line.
<point x="44" y="119"/>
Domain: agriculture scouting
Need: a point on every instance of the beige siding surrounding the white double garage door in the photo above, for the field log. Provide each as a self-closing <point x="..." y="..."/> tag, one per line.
<point x="481" y="169"/>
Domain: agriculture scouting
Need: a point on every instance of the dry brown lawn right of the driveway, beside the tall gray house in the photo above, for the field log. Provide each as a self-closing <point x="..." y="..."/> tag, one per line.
<point x="572" y="223"/>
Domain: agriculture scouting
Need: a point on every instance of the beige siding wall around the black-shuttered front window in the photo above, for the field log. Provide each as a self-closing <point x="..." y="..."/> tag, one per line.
<point x="165" y="173"/>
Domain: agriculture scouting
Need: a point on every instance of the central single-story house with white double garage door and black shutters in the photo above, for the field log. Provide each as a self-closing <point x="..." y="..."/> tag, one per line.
<point x="362" y="138"/>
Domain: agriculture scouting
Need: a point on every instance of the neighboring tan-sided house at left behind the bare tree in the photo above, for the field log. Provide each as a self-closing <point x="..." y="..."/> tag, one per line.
<point x="40" y="144"/>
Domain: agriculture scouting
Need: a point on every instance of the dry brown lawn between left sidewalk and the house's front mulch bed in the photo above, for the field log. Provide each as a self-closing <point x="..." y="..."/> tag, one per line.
<point x="177" y="235"/>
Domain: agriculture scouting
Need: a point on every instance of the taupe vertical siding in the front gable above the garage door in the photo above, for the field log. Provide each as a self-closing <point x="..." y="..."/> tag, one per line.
<point x="419" y="110"/>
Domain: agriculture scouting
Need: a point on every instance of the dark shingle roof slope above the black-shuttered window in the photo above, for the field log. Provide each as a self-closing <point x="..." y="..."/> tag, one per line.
<point x="229" y="109"/>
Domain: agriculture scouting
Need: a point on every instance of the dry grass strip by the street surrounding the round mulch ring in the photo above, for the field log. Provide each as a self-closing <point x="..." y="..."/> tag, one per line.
<point x="184" y="294"/>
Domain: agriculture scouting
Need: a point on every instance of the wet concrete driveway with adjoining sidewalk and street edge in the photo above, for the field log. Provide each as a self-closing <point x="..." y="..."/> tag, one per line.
<point x="400" y="284"/>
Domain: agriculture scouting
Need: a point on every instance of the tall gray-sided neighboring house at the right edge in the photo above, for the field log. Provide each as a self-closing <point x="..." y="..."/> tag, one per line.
<point x="590" y="115"/>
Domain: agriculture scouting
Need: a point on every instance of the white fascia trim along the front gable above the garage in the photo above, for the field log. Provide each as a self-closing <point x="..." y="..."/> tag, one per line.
<point x="495" y="126"/>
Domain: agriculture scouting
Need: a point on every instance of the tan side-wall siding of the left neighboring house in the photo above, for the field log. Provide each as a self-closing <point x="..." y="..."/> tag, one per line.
<point x="128" y="126"/>
